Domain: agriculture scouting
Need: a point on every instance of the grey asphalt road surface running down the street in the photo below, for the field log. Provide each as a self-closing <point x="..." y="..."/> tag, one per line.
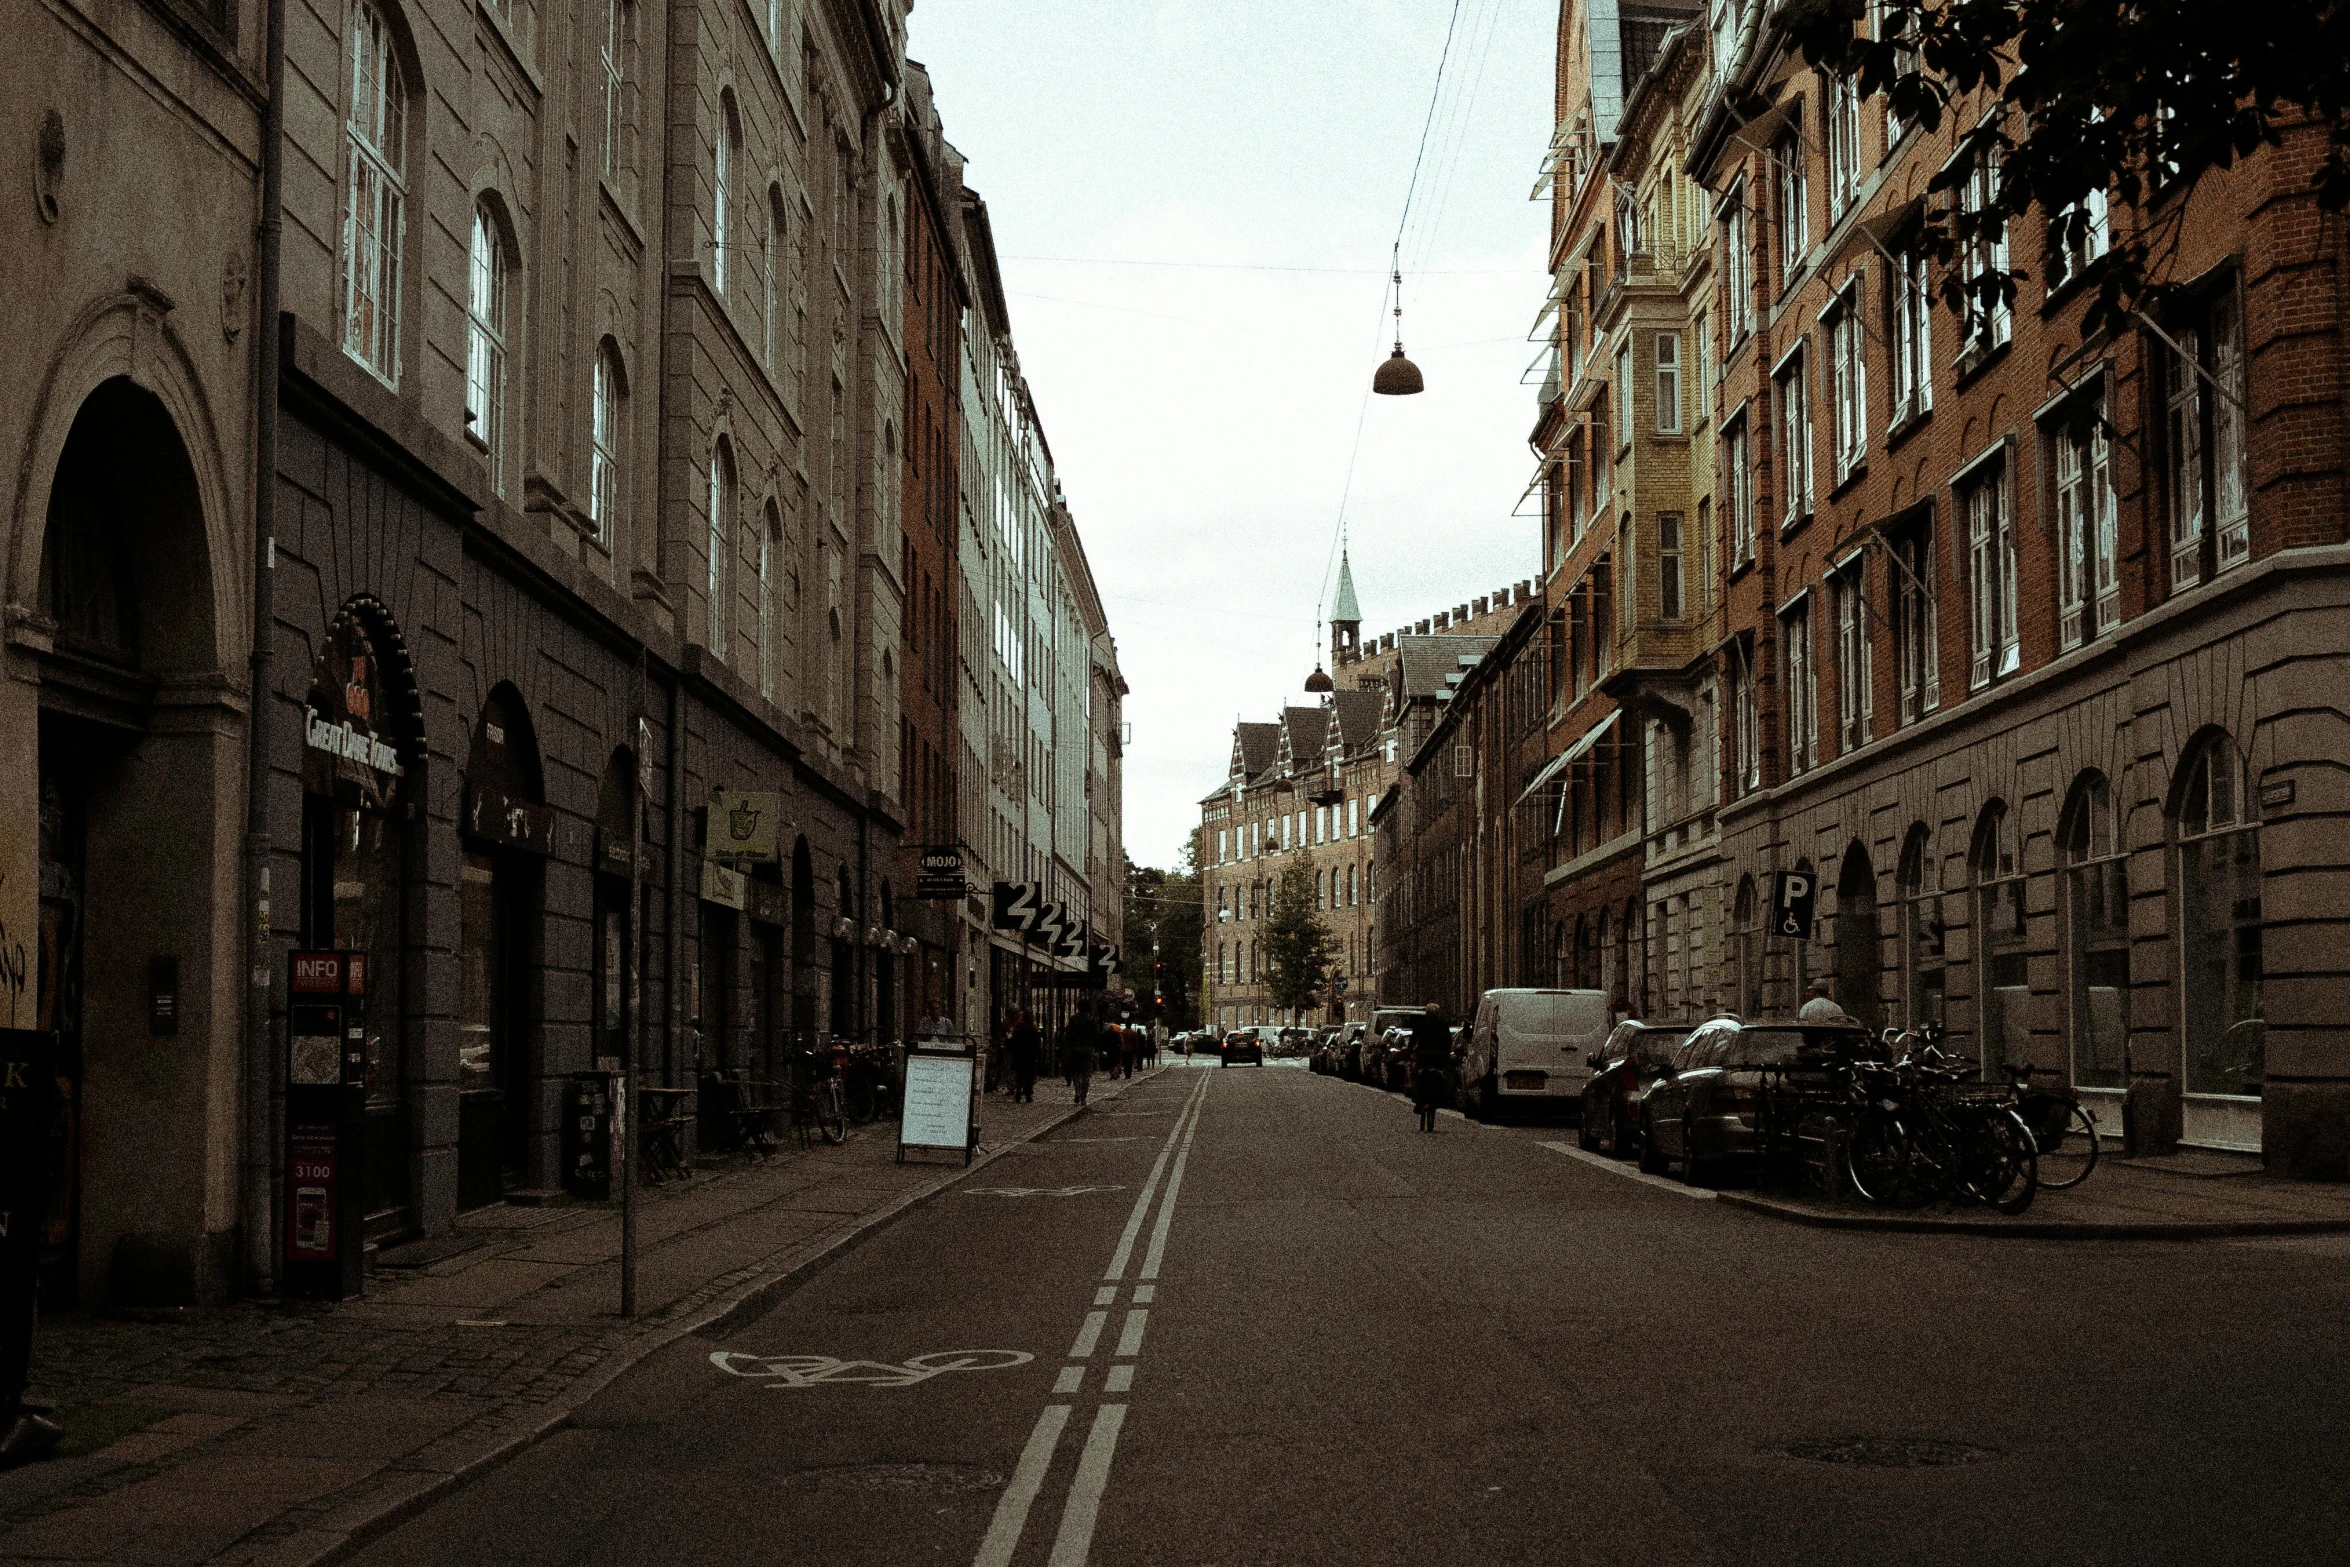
<point x="1256" y="1317"/>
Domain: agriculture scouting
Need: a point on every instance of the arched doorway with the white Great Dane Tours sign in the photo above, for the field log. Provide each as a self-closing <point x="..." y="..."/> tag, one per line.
<point x="361" y="734"/>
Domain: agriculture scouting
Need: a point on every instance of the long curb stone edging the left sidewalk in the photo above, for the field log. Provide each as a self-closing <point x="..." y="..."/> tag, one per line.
<point x="401" y="1491"/>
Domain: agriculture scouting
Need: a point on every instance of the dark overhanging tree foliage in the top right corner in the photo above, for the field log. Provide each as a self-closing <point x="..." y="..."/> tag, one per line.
<point x="2079" y="97"/>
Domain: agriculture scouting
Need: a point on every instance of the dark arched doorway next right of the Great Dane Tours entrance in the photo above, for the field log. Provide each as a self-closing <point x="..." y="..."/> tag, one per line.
<point x="502" y="885"/>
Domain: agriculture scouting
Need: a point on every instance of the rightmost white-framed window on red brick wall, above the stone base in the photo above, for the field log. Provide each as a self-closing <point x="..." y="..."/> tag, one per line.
<point x="2208" y="487"/>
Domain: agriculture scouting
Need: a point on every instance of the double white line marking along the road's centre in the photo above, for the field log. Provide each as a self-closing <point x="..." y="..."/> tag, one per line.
<point x="1085" y="1505"/>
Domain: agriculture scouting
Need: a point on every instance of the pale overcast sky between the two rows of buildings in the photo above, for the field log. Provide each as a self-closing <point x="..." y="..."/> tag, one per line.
<point x="1195" y="203"/>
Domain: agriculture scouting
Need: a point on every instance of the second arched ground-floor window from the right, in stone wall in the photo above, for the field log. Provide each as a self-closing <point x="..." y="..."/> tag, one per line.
<point x="2095" y="934"/>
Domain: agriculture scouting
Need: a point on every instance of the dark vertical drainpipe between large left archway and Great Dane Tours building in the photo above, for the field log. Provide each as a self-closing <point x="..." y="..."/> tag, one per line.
<point x="260" y="1058"/>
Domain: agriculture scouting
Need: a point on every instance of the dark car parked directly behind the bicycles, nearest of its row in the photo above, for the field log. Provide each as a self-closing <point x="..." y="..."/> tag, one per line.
<point x="1703" y="1117"/>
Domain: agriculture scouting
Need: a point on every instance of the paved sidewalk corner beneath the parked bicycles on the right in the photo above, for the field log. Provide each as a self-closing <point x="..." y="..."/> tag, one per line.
<point x="2182" y="1197"/>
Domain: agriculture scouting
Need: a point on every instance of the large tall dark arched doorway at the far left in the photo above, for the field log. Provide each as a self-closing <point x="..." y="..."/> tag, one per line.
<point x="119" y="849"/>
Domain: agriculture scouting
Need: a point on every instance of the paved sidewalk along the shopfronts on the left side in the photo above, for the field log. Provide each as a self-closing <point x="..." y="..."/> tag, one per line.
<point x="283" y="1434"/>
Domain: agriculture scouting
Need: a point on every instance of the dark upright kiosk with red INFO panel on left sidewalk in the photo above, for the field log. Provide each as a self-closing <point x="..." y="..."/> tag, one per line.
<point x="325" y="1122"/>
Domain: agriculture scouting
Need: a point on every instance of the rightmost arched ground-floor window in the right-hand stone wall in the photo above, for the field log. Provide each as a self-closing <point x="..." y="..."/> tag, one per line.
<point x="2220" y="929"/>
